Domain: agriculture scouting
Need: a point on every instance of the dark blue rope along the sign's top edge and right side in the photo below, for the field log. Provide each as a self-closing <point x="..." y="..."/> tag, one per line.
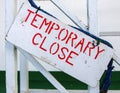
<point x="108" y="73"/>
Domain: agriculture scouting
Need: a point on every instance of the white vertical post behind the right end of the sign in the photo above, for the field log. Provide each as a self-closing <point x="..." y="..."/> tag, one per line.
<point x="93" y="28"/>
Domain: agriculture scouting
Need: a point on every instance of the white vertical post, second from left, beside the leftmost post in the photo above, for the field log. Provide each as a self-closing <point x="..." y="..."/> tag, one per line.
<point x="24" y="74"/>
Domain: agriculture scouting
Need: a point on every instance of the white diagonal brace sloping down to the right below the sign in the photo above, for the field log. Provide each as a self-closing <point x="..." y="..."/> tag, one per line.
<point x="41" y="69"/>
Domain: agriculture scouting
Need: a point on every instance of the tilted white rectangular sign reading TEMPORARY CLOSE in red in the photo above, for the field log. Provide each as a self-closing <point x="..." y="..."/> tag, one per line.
<point x="69" y="49"/>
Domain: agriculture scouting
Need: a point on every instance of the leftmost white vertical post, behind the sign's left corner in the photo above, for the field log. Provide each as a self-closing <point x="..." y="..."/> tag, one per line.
<point x="10" y="52"/>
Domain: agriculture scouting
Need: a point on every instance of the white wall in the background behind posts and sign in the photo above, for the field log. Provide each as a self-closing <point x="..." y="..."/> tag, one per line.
<point x="108" y="18"/>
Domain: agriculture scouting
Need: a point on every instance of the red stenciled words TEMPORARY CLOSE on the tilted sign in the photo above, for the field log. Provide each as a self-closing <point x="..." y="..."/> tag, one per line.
<point x="65" y="35"/>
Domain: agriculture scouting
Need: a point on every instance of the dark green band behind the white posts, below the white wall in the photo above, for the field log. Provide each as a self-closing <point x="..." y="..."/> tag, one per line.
<point x="38" y="81"/>
